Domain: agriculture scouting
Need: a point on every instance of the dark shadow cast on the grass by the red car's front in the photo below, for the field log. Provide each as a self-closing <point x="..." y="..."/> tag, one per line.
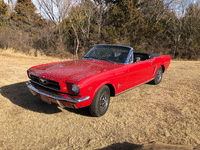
<point x="20" y="95"/>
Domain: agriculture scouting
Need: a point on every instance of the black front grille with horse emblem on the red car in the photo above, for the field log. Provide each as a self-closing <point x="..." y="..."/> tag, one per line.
<point x="46" y="83"/>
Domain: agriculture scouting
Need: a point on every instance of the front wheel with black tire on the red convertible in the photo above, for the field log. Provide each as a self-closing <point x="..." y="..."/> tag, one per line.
<point x="100" y="102"/>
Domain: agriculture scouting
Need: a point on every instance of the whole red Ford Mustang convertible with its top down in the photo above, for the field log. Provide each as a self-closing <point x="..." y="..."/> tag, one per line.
<point x="104" y="71"/>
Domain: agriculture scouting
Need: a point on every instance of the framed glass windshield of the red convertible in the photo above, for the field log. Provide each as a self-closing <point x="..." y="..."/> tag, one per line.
<point x="110" y="53"/>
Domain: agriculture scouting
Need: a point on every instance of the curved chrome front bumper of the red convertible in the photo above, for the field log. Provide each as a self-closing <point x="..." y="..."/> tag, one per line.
<point x="32" y="88"/>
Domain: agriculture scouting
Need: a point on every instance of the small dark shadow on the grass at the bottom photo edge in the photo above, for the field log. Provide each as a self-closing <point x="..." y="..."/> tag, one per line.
<point x="125" y="146"/>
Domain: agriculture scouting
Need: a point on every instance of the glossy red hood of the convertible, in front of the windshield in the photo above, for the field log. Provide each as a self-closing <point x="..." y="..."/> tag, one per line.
<point x="72" y="70"/>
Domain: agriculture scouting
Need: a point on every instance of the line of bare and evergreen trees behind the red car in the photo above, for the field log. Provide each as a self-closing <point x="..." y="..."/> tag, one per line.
<point x="69" y="26"/>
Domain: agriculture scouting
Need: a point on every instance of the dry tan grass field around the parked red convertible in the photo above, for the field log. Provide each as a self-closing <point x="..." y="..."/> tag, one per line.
<point x="167" y="113"/>
